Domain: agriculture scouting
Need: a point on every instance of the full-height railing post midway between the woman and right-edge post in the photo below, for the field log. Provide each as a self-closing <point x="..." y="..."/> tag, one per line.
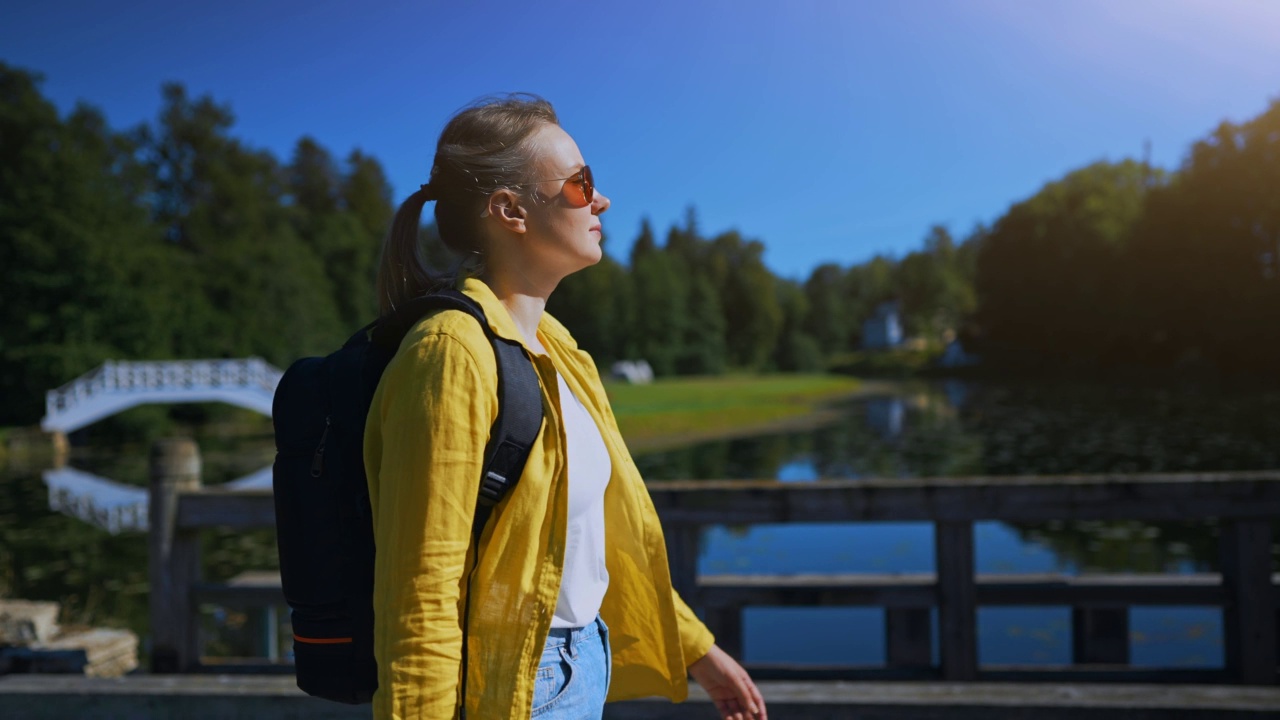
<point x="958" y="600"/>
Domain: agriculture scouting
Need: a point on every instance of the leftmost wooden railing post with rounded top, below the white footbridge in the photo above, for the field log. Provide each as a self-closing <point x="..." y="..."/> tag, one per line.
<point x="173" y="563"/>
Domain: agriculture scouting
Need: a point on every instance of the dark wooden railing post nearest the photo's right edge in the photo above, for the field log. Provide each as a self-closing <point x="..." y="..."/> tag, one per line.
<point x="1250" y="614"/>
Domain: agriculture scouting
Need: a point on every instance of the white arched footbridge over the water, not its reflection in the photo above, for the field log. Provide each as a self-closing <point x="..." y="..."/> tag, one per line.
<point x="117" y="386"/>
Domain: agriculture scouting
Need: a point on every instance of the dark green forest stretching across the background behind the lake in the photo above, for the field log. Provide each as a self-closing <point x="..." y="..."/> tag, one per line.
<point x="179" y="240"/>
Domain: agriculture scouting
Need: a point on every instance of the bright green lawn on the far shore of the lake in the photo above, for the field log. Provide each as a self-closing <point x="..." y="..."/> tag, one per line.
<point x="682" y="411"/>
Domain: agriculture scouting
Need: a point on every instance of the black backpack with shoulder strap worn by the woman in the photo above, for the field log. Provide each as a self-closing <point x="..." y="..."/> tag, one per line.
<point x="323" y="518"/>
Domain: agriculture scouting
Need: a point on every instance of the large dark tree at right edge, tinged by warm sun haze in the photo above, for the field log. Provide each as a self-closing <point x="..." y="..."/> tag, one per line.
<point x="1205" y="266"/>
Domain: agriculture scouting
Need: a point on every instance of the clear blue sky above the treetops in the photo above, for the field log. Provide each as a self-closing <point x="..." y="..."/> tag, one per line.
<point x="831" y="130"/>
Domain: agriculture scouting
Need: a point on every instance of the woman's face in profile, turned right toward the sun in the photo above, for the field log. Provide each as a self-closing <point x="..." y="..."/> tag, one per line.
<point x="561" y="239"/>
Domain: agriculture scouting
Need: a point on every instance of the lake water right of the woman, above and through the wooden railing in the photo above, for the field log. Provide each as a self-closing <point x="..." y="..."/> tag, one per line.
<point x="957" y="429"/>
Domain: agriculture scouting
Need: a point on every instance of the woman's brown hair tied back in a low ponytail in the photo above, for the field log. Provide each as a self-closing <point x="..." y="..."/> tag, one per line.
<point x="484" y="148"/>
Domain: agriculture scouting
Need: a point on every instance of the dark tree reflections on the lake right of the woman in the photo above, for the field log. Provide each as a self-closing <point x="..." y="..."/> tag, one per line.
<point x="957" y="429"/>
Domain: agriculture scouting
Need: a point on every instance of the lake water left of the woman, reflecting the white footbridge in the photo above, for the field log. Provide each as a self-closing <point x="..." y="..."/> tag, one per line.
<point x="76" y="535"/>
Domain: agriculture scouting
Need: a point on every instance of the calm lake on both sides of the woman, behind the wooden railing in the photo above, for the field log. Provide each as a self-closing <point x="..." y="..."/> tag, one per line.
<point x="903" y="431"/>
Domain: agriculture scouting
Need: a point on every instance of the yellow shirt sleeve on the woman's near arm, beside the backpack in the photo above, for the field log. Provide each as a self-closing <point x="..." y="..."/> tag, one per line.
<point x="428" y="430"/>
